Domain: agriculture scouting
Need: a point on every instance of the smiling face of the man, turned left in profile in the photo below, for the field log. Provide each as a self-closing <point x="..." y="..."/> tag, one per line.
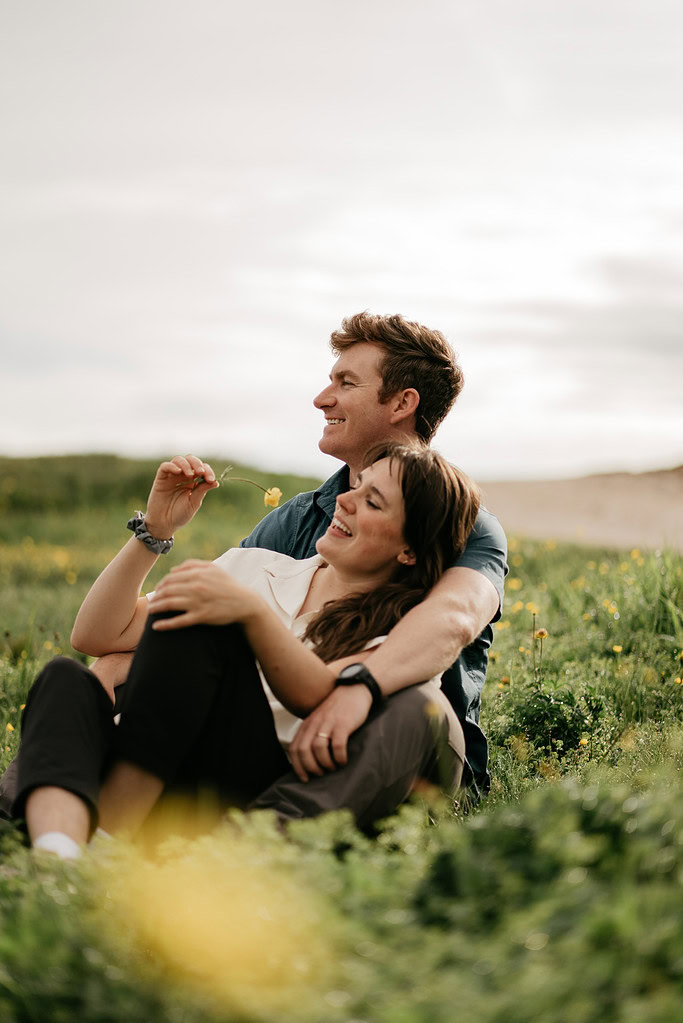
<point x="355" y="419"/>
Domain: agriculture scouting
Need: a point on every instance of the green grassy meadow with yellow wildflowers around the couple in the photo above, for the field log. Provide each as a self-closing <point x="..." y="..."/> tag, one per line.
<point x="558" y="900"/>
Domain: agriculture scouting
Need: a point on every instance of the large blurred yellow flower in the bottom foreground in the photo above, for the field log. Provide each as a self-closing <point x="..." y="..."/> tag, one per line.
<point x="234" y="927"/>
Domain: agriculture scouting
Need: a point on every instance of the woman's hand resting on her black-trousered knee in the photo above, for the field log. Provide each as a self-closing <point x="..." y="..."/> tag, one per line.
<point x="205" y="595"/>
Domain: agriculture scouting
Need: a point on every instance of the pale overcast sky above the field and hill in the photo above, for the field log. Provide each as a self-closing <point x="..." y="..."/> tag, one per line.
<point x="193" y="195"/>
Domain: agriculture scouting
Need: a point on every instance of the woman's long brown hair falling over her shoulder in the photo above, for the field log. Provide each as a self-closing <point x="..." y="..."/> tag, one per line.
<point x="441" y="506"/>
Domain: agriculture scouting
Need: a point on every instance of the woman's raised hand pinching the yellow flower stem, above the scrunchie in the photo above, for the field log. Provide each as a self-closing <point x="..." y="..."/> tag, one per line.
<point x="175" y="497"/>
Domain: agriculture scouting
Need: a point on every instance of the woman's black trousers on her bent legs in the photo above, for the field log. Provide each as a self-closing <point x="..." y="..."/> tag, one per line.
<point x="194" y="714"/>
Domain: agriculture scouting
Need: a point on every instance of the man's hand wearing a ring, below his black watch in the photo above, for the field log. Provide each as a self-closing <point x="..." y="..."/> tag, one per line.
<point x="321" y="744"/>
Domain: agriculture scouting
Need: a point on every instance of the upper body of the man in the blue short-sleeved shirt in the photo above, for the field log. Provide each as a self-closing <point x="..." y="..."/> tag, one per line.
<point x="395" y="380"/>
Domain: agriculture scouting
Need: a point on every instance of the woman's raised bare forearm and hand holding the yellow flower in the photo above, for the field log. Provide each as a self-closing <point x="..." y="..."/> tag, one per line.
<point x="113" y="615"/>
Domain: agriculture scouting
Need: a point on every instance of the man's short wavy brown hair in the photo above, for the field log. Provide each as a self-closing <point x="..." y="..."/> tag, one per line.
<point x="415" y="358"/>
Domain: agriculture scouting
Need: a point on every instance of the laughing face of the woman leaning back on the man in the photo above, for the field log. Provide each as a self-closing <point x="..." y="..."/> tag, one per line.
<point x="366" y="539"/>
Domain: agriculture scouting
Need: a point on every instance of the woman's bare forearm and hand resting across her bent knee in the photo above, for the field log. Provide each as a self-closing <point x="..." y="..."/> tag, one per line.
<point x="206" y="594"/>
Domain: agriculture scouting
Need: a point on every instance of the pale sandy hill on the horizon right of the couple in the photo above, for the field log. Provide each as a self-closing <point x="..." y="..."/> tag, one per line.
<point x="622" y="510"/>
